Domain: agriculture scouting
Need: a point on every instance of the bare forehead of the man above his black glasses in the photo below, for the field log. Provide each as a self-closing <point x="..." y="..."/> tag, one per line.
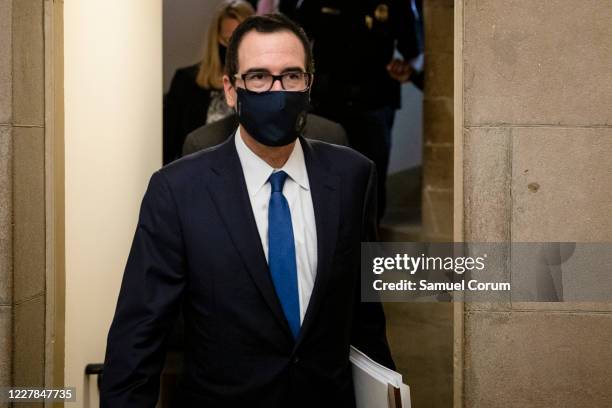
<point x="274" y="51"/>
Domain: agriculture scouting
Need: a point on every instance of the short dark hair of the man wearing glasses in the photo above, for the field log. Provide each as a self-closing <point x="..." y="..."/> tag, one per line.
<point x="269" y="23"/>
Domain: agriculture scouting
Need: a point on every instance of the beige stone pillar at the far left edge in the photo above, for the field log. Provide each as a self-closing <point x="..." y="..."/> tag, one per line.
<point x="22" y="198"/>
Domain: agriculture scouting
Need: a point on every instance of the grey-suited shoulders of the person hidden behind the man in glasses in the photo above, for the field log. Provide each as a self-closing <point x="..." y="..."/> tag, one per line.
<point x="210" y="135"/>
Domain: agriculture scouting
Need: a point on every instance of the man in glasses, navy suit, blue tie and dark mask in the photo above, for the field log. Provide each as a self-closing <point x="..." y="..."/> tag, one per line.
<point x="259" y="239"/>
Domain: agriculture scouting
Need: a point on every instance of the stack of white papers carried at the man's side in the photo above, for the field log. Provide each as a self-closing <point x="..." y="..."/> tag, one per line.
<point x="372" y="382"/>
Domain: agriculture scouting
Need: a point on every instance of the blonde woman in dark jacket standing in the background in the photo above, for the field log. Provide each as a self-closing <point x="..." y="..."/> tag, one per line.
<point x="196" y="97"/>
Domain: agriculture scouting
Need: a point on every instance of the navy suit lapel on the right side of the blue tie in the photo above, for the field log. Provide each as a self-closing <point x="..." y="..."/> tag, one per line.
<point x="325" y="192"/>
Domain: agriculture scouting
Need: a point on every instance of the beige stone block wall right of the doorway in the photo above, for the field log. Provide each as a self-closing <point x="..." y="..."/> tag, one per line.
<point x="536" y="97"/>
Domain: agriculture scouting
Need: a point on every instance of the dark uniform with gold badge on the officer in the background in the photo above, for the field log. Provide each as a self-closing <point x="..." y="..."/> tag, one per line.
<point x="353" y="41"/>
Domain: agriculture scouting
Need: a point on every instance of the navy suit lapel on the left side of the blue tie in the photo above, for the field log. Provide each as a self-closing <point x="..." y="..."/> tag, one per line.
<point x="228" y="190"/>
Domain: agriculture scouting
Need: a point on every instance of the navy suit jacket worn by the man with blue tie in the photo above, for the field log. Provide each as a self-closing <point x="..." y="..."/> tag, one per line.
<point x="197" y="244"/>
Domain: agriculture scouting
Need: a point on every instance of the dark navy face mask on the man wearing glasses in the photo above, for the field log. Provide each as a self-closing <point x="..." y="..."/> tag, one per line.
<point x="273" y="118"/>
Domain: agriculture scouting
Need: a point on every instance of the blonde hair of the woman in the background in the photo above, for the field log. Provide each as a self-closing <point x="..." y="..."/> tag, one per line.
<point x="210" y="75"/>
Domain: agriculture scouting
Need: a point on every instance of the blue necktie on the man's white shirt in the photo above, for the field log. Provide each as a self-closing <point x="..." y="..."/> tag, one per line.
<point x="281" y="252"/>
